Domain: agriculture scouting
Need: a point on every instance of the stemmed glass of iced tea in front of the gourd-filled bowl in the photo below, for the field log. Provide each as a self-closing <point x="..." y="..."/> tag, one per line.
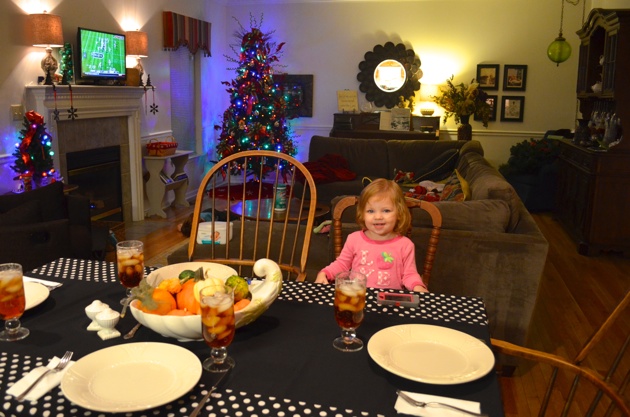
<point x="217" y="325"/>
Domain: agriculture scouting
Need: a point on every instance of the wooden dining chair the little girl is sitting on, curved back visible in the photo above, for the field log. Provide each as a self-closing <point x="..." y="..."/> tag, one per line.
<point x="436" y="221"/>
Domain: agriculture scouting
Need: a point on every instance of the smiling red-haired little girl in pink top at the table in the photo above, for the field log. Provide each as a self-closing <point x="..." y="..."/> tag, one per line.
<point x="380" y="250"/>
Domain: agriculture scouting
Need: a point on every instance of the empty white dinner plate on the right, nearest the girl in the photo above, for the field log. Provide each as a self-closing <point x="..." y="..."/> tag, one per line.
<point x="431" y="354"/>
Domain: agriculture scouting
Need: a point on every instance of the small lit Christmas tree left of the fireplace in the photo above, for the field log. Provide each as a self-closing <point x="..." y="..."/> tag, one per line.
<point x="33" y="153"/>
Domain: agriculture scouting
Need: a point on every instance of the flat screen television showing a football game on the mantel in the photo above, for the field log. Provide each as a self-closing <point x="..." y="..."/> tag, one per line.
<point x="101" y="57"/>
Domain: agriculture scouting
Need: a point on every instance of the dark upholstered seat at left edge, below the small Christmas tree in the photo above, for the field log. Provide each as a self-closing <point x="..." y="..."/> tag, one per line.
<point x="39" y="226"/>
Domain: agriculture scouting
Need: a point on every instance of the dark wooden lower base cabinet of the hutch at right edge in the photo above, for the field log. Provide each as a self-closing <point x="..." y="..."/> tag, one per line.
<point x="592" y="200"/>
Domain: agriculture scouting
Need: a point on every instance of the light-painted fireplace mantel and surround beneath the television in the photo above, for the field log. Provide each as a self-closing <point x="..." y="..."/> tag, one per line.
<point x="95" y="102"/>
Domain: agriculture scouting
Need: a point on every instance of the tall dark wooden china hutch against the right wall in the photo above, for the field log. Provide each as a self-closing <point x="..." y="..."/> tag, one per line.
<point x="593" y="197"/>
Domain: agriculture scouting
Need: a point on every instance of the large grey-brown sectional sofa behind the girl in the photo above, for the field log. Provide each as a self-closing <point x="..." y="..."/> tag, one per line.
<point x="490" y="245"/>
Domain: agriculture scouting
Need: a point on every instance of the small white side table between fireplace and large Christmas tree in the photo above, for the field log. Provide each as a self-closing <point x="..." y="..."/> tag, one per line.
<point x="159" y="182"/>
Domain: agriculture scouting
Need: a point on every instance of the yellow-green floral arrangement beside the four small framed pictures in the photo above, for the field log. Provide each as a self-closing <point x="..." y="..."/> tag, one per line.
<point x="461" y="101"/>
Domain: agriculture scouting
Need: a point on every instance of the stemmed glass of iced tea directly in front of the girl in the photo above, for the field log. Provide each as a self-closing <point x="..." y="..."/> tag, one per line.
<point x="349" y="305"/>
